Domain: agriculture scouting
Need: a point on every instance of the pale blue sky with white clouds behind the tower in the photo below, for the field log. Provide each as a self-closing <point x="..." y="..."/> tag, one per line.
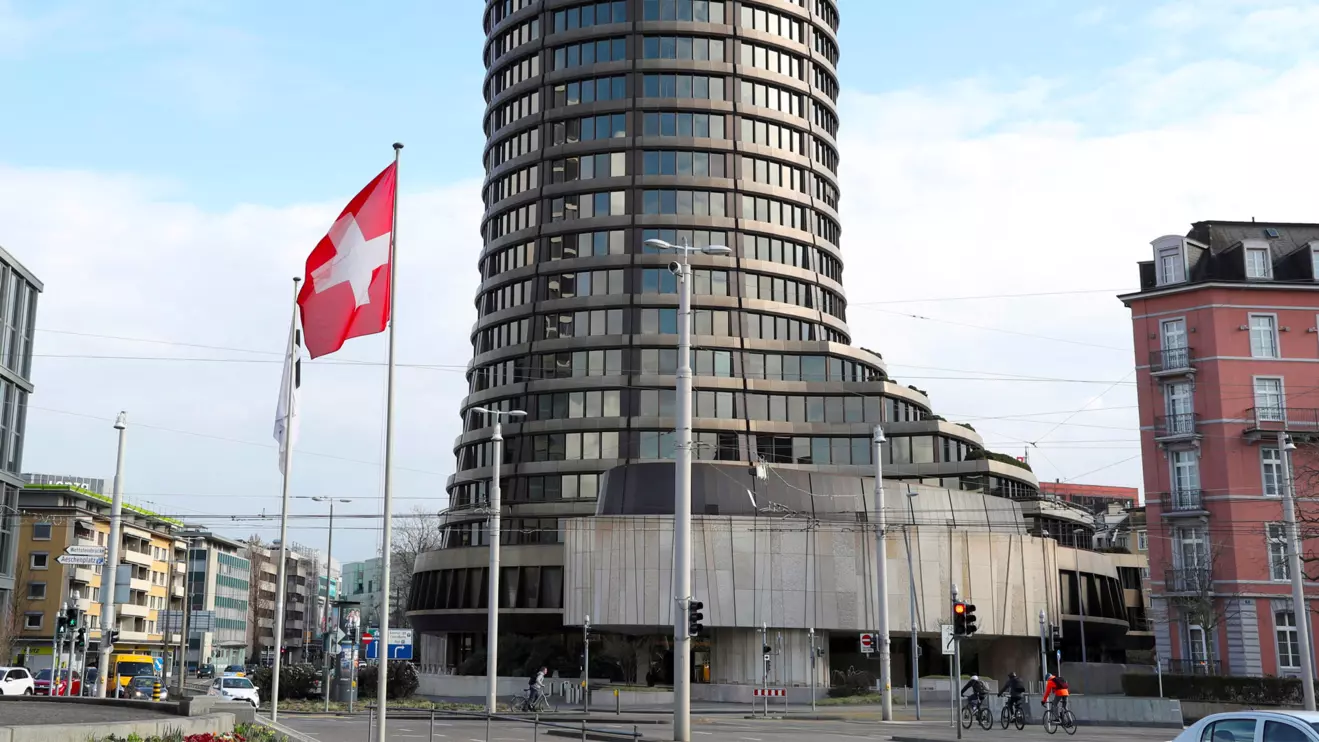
<point x="166" y="169"/>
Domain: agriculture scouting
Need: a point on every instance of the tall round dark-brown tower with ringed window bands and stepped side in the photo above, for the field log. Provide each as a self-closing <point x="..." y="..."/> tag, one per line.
<point x="700" y="123"/>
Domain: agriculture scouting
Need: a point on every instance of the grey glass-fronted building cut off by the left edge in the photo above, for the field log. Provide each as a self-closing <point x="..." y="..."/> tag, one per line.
<point x="19" y="289"/>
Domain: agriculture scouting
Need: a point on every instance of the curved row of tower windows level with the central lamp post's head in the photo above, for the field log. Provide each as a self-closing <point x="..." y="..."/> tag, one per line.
<point x="593" y="244"/>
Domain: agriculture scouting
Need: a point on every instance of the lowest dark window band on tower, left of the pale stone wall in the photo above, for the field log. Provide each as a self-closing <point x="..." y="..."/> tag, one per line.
<point x="520" y="587"/>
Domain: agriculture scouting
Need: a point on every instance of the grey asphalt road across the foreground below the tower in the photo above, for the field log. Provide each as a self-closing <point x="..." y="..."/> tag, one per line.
<point x="714" y="729"/>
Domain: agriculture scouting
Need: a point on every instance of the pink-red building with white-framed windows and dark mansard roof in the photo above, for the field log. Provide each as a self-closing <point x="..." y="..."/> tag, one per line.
<point x="1226" y="350"/>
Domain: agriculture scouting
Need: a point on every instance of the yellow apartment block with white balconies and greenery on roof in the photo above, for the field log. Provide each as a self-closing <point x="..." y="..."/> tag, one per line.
<point x="56" y="517"/>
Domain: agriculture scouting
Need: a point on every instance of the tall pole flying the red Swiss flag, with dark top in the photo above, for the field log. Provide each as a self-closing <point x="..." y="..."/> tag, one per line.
<point x="387" y="525"/>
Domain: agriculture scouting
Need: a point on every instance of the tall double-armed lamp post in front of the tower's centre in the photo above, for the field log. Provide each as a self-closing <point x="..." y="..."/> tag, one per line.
<point x="683" y="490"/>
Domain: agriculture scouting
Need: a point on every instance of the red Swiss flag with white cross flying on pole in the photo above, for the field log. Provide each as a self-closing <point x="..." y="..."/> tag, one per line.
<point x="346" y="293"/>
